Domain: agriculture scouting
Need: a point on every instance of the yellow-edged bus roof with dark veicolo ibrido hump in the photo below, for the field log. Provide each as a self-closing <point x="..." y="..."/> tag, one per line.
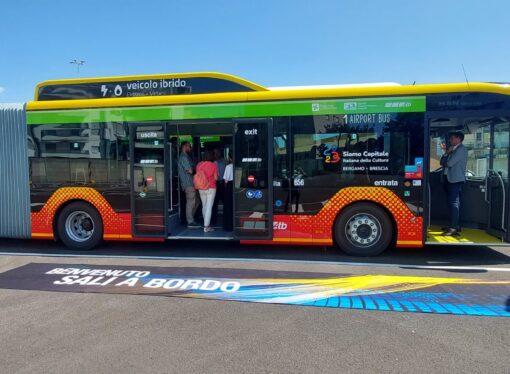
<point x="210" y="87"/>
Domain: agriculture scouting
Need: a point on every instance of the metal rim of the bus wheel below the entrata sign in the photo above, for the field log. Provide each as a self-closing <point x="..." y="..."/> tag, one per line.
<point x="363" y="230"/>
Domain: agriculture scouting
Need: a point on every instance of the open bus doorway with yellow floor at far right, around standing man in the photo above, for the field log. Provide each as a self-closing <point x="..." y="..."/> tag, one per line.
<point x="484" y="210"/>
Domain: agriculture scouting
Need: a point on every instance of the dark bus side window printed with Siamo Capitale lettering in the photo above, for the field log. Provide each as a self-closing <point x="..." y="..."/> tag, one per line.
<point x="332" y="151"/>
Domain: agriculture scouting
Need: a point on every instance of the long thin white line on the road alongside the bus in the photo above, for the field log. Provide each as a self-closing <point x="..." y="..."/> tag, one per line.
<point x="234" y="259"/>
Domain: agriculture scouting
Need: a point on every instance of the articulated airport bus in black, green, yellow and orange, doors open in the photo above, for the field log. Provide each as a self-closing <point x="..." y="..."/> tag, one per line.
<point x="355" y="167"/>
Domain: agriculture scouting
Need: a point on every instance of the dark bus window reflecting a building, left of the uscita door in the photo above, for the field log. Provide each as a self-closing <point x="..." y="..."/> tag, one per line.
<point x="85" y="153"/>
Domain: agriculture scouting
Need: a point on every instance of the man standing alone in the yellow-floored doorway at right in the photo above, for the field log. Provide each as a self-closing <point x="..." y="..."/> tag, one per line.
<point x="454" y="162"/>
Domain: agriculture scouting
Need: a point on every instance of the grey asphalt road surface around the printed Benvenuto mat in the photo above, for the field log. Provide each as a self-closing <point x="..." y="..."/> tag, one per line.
<point x="54" y="332"/>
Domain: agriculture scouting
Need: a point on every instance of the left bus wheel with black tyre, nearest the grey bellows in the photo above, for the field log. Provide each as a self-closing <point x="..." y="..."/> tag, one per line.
<point x="79" y="226"/>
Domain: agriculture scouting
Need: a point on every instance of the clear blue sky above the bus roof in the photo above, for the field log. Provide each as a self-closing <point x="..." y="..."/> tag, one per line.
<point x="273" y="43"/>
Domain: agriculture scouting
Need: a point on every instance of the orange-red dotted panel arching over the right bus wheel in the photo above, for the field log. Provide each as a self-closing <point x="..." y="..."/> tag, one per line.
<point x="319" y="227"/>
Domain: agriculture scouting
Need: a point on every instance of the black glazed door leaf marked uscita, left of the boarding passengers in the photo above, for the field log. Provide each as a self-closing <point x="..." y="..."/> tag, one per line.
<point x="148" y="200"/>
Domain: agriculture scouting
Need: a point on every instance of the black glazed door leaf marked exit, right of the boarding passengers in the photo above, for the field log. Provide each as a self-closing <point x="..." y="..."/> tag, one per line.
<point x="253" y="183"/>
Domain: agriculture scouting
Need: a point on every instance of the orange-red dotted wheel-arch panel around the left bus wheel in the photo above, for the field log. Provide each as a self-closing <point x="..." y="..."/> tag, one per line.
<point x="116" y="225"/>
